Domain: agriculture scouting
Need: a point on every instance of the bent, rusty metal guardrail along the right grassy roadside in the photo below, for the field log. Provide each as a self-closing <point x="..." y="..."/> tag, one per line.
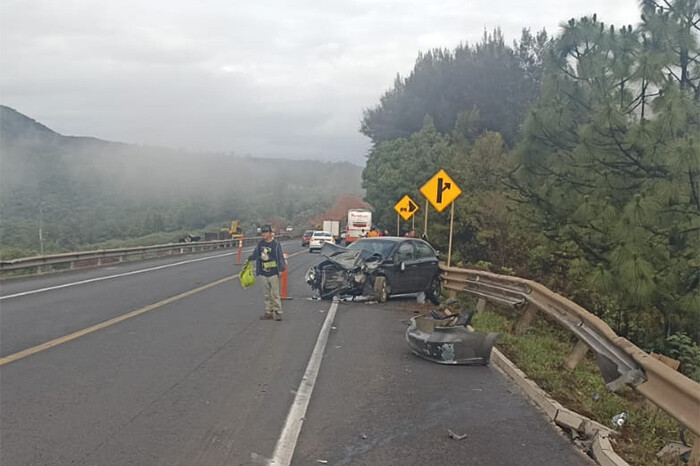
<point x="620" y="361"/>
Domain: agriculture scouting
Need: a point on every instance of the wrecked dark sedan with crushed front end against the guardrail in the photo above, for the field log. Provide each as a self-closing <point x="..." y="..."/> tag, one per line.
<point x="377" y="268"/>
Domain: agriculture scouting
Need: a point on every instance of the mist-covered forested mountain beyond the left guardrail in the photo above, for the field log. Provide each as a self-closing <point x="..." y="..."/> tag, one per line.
<point x="84" y="190"/>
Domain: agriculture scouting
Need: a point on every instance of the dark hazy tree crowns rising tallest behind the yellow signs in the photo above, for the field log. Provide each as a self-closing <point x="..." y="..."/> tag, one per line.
<point x="492" y="77"/>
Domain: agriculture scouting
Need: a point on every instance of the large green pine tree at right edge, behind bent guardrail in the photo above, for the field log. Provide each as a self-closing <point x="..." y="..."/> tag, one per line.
<point x="610" y="166"/>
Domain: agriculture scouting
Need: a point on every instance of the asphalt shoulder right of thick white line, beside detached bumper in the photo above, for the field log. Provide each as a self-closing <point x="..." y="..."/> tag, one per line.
<point x="378" y="404"/>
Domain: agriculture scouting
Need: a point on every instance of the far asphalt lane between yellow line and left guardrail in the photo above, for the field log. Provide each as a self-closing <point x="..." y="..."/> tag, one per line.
<point x="89" y="297"/>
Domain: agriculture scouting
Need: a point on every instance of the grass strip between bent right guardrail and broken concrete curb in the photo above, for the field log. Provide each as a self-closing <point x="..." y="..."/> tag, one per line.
<point x="540" y="353"/>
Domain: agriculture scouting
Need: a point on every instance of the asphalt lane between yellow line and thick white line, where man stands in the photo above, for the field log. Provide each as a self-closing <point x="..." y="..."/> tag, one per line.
<point x="197" y="381"/>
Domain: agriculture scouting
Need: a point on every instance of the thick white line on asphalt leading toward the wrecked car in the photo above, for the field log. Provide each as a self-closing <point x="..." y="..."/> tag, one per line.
<point x="284" y="450"/>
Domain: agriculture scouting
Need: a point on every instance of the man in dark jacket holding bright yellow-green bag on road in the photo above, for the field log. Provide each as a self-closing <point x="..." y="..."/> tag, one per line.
<point x="269" y="264"/>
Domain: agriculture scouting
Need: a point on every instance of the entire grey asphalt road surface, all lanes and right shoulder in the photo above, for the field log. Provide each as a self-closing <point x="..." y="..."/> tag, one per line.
<point x="197" y="379"/>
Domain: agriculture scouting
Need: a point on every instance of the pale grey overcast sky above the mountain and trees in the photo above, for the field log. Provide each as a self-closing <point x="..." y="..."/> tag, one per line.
<point x="259" y="77"/>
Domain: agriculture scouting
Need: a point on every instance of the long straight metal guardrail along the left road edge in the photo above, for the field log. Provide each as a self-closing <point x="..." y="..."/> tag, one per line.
<point x="77" y="260"/>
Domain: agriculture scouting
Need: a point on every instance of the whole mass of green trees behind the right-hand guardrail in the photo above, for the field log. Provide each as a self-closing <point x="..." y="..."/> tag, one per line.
<point x="579" y="158"/>
